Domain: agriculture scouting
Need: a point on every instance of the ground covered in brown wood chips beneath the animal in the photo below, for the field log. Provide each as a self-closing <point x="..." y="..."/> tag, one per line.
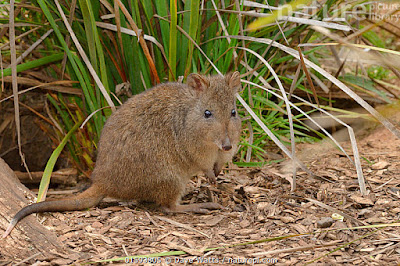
<point x="258" y="206"/>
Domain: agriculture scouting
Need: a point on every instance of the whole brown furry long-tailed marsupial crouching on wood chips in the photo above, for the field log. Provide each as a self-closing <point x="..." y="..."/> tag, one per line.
<point x="156" y="141"/>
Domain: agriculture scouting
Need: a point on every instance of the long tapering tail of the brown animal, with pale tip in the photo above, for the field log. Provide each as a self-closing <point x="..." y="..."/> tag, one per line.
<point x="89" y="198"/>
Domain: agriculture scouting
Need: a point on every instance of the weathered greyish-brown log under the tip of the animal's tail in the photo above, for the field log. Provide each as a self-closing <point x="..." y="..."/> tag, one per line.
<point x="29" y="239"/>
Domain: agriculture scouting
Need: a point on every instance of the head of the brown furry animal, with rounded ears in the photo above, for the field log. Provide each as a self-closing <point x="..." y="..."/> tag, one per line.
<point x="213" y="116"/>
